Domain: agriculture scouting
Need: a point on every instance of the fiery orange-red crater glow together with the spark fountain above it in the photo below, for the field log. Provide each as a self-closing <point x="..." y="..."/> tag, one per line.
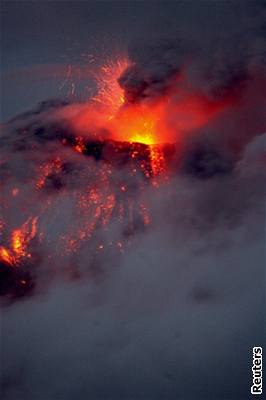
<point x="166" y="119"/>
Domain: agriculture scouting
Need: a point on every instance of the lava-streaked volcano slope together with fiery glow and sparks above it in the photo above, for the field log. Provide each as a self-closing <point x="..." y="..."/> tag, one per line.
<point x="81" y="187"/>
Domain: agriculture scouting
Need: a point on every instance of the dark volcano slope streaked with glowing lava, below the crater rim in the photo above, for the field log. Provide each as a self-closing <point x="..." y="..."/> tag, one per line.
<point x="81" y="185"/>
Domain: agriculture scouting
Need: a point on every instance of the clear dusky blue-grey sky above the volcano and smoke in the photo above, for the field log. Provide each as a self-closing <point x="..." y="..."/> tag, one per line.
<point x="57" y="33"/>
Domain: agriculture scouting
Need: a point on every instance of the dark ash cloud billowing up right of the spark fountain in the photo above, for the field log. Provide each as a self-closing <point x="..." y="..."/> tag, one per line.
<point x="214" y="59"/>
